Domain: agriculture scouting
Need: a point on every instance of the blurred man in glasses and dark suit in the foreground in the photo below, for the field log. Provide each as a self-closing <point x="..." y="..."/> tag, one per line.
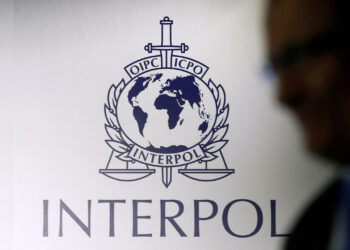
<point x="309" y="50"/>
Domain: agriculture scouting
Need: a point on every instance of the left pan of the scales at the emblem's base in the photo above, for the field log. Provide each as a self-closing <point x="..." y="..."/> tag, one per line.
<point x="127" y="174"/>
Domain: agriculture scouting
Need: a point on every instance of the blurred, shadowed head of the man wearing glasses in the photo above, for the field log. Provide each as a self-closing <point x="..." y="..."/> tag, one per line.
<point x="309" y="51"/>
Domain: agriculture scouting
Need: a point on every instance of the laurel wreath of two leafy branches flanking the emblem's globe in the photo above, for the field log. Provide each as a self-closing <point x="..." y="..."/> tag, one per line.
<point x="121" y="144"/>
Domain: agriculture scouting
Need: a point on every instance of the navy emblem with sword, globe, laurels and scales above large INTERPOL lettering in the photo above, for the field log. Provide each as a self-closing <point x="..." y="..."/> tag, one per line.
<point x="166" y="116"/>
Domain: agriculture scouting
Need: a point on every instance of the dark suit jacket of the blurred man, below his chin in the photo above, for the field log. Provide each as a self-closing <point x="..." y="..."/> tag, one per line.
<point x="313" y="230"/>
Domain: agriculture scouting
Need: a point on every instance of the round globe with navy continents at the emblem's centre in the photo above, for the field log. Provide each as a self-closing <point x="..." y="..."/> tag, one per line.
<point x="166" y="110"/>
